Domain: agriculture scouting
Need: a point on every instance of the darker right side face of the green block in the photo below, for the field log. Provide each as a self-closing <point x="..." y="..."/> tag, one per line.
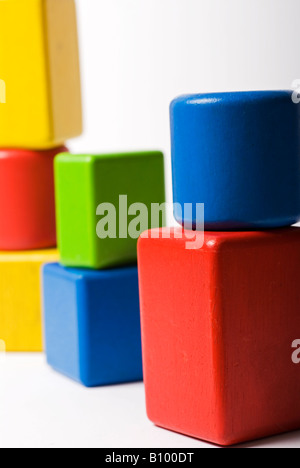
<point x="140" y="179"/>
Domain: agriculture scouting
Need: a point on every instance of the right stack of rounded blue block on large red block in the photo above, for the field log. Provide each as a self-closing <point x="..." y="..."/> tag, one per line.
<point x="218" y="322"/>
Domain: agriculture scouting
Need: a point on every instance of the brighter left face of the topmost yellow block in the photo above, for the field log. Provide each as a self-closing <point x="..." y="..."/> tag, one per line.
<point x="25" y="117"/>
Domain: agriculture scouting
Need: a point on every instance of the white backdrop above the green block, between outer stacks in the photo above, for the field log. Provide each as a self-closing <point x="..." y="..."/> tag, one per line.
<point x="137" y="55"/>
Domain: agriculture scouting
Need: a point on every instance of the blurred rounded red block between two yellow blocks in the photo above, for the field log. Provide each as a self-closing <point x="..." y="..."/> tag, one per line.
<point x="27" y="199"/>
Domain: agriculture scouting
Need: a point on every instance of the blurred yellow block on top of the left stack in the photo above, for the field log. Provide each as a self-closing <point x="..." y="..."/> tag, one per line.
<point x="40" y="68"/>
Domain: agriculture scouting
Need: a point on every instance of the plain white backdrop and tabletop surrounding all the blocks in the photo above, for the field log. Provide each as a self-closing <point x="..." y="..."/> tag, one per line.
<point x="136" y="56"/>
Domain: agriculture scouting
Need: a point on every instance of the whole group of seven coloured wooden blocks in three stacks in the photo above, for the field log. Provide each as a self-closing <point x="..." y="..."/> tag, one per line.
<point x="218" y="321"/>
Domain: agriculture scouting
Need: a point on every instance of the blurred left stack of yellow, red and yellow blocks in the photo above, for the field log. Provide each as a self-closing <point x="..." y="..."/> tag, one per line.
<point x="40" y="69"/>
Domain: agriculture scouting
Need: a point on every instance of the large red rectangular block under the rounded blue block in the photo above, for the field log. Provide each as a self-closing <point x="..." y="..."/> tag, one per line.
<point x="218" y="325"/>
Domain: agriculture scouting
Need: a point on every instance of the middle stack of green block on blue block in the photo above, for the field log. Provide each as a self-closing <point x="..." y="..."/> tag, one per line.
<point x="91" y="299"/>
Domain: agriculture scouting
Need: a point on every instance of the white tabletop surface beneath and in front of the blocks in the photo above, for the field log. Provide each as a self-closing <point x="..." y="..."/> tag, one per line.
<point x="42" y="409"/>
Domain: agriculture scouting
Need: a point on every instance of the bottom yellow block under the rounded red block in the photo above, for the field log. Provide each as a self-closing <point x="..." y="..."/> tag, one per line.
<point x="20" y="299"/>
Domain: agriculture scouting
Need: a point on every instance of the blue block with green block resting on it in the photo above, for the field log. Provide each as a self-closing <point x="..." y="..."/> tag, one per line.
<point x="92" y="324"/>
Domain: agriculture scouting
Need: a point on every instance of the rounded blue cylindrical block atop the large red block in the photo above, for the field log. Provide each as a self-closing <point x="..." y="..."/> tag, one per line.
<point x="238" y="153"/>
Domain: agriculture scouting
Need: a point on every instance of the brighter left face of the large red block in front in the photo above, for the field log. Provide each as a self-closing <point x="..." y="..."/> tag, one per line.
<point x="180" y="345"/>
